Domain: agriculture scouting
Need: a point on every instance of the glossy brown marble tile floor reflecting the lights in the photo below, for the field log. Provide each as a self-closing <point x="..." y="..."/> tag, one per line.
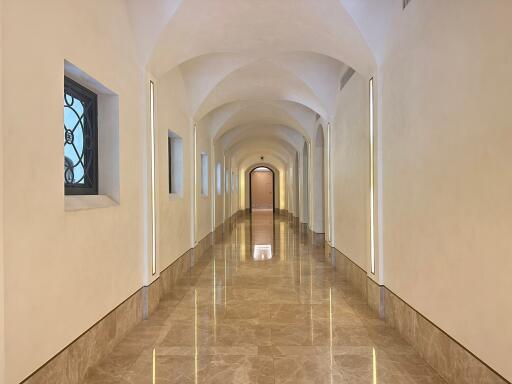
<point x="263" y="306"/>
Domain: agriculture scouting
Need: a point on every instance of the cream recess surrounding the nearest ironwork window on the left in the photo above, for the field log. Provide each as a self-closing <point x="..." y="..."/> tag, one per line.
<point x="108" y="182"/>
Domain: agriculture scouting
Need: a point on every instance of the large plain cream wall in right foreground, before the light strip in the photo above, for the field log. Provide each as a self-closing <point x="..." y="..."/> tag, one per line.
<point x="447" y="185"/>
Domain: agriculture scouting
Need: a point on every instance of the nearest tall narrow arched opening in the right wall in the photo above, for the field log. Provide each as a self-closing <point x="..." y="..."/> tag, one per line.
<point x="319" y="182"/>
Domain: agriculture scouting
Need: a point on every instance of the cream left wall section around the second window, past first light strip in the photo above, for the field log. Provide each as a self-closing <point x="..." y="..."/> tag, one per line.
<point x="174" y="211"/>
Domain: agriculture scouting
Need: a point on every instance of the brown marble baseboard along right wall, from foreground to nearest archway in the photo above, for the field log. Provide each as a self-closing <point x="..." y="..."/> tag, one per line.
<point x="455" y="363"/>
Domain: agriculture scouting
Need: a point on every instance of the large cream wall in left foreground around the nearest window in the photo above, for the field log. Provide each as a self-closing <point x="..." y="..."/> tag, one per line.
<point x="54" y="272"/>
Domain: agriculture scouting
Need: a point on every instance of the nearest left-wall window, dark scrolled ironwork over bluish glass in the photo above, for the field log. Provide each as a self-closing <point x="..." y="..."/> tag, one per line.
<point x="80" y="139"/>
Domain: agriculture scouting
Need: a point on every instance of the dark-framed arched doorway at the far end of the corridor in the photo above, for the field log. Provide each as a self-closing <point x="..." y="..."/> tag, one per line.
<point x="262" y="189"/>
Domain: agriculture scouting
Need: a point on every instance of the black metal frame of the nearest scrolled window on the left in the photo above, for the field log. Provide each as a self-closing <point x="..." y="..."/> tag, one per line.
<point x="80" y="92"/>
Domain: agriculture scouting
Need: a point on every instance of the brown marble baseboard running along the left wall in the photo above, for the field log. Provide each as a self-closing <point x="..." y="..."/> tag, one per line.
<point x="70" y="365"/>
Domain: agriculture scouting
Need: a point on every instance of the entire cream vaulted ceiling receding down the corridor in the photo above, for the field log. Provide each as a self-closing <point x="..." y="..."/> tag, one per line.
<point x="257" y="74"/>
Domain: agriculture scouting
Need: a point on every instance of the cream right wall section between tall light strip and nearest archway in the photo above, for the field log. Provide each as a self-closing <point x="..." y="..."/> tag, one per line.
<point x="351" y="172"/>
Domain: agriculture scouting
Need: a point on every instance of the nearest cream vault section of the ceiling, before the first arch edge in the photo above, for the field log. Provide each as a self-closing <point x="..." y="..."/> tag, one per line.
<point x="249" y="26"/>
